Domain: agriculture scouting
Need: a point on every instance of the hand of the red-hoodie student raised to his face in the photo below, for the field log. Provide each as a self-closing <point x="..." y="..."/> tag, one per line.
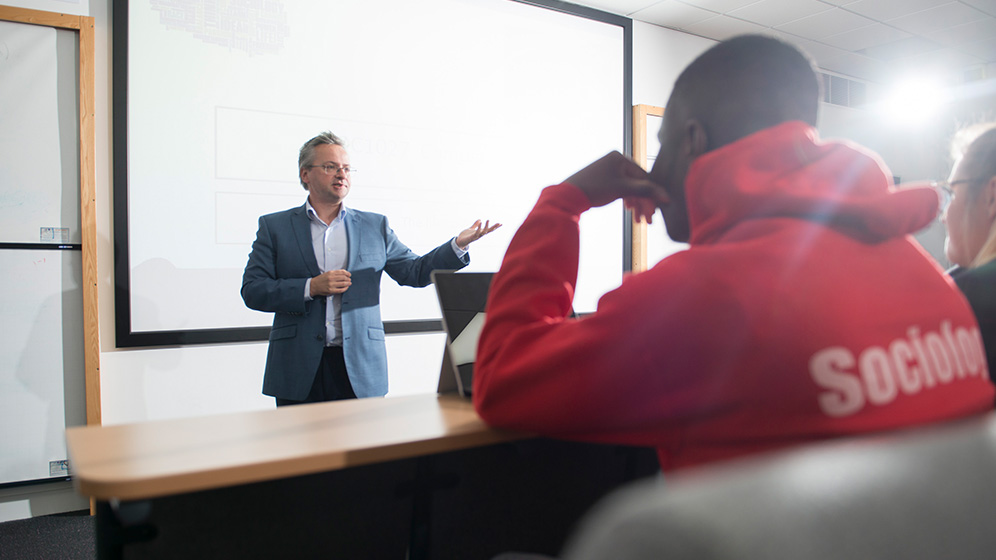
<point x="615" y="176"/>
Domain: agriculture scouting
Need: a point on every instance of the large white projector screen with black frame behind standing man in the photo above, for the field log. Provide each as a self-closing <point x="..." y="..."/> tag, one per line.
<point x="452" y="110"/>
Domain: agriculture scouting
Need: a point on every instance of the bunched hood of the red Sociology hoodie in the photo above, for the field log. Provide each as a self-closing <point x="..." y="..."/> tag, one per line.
<point x="786" y="172"/>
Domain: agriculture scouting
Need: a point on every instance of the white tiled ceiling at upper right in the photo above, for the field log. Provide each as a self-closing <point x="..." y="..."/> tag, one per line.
<point x="872" y="40"/>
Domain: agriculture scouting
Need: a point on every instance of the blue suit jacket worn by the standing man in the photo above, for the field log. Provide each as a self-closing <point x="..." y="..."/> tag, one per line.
<point x="283" y="259"/>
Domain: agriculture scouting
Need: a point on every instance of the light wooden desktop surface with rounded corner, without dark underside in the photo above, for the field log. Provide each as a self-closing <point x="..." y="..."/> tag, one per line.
<point x="153" y="459"/>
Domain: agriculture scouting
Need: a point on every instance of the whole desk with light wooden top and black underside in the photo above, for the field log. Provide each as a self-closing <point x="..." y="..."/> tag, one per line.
<point x="349" y="476"/>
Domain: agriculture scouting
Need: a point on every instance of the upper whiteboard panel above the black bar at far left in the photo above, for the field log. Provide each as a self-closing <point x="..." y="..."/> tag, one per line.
<point x="39" y="167"/>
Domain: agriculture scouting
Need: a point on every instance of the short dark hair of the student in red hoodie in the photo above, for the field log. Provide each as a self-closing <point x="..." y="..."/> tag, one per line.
<point x="746" y="84"/>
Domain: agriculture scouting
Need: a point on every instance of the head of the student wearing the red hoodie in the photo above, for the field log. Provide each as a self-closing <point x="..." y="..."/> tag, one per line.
<point x="734" y="89"/>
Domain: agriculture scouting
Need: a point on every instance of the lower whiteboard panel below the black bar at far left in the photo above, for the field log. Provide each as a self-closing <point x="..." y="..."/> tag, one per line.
<point x="41" y="361"/>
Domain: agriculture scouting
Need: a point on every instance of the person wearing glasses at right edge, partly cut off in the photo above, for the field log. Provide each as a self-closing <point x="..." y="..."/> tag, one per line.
<point x="970" y="221"/>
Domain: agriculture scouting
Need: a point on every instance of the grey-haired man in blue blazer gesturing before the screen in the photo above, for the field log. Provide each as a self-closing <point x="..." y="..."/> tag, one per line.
<point x="318" y="267"/>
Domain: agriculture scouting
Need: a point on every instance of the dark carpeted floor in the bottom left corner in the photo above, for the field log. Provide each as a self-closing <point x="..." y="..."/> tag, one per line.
<point x="63" y="537"/>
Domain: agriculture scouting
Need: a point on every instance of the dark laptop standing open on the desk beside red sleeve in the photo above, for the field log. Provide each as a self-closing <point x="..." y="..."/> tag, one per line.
<point x="462" y="299"/>
